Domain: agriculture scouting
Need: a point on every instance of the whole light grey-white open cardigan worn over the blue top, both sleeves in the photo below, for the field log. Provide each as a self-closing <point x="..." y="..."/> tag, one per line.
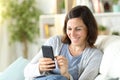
<point x="89" y="67"/>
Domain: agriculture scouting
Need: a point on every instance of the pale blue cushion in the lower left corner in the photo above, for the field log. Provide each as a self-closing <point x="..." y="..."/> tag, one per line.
<point x="15" y="70"/>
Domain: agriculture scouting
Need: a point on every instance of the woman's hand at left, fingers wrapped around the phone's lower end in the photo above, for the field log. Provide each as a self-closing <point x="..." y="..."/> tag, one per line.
<point x="46" y="64"/>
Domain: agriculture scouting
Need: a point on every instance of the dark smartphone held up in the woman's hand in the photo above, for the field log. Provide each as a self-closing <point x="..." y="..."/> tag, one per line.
<point x="48" y="52"/>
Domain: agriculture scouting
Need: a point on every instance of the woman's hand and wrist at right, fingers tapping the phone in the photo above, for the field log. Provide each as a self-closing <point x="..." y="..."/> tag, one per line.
<point x="63" y="65"/>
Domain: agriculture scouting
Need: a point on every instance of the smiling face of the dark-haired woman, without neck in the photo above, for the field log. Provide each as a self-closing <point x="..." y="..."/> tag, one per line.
<point x="76" y="31"/>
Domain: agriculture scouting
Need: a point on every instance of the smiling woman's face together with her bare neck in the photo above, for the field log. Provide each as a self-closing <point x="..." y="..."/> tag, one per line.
<point x="77" y="33"/>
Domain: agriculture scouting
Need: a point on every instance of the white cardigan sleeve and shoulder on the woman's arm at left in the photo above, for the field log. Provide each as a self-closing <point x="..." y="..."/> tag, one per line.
<point x="32" y="69"/>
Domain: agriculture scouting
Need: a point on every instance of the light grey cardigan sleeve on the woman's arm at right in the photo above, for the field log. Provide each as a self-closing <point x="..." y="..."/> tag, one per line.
<point x="92" y="67"/>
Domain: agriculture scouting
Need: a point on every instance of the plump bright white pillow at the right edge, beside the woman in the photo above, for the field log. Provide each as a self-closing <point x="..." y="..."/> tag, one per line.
<point x="110" y="65"/>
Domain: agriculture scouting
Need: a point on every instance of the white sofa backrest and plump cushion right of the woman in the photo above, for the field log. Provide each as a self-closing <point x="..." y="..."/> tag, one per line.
<point x="109" y="67"/>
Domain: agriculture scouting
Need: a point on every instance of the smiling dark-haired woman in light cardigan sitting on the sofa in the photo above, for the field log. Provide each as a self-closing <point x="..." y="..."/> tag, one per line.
<point x="76" y="56"/>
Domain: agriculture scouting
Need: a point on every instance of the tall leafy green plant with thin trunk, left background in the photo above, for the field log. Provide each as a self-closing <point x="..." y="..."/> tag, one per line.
<point x="23" y="26"/>
